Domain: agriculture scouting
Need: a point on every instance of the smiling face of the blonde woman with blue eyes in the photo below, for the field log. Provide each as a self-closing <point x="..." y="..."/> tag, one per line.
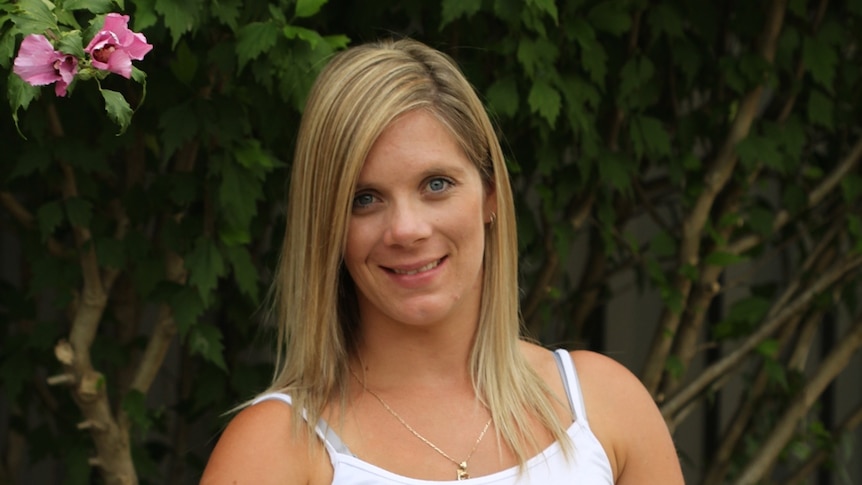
<point x="415" y="239"/>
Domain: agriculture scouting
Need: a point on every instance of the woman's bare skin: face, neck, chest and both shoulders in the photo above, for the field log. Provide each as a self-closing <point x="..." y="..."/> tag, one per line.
<point x="415" y="242"/>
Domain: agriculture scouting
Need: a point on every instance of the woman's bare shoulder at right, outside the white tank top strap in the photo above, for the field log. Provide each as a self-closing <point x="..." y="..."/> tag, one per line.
<point x="627" y="422"/>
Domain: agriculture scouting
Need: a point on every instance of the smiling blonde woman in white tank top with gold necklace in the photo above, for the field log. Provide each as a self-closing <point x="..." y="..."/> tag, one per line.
<point x="400" y="358"/>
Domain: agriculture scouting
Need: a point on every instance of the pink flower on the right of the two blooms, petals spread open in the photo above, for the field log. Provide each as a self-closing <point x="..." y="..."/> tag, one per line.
<point x="115" y="46"/>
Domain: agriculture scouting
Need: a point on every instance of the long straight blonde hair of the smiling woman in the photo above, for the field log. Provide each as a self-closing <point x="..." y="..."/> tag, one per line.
<point x="356" y="96"/>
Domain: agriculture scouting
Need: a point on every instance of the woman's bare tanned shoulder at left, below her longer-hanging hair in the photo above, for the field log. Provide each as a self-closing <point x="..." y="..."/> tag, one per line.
<point x="259" y="447"/>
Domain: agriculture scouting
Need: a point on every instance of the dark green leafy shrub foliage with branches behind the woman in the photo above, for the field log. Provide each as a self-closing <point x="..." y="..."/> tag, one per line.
<point x="729" y="132"/>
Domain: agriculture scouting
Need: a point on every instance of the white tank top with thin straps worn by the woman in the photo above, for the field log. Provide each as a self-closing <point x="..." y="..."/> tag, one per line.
<point x="588" y="464"/>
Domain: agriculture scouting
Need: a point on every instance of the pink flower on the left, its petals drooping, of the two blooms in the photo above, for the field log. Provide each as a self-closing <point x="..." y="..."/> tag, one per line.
<point x="39" y="64"/>
